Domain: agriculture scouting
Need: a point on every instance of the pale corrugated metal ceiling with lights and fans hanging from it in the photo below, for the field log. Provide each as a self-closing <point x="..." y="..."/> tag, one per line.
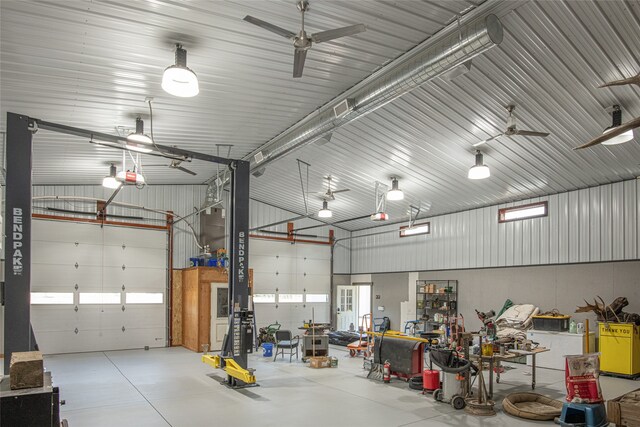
<point x="92" y="64"/>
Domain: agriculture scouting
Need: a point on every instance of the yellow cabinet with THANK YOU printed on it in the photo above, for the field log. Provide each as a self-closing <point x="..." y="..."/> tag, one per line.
<point x="620" y="348"/>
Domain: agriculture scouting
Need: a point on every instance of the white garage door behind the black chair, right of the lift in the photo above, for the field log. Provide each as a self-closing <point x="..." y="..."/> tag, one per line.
<point x="289" y="280"/>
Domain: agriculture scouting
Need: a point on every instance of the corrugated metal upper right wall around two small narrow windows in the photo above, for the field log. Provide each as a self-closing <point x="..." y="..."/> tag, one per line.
<point x="589" y="225"/>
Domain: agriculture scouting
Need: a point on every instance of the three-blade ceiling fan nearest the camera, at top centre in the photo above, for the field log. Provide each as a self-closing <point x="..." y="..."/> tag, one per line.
<point x="302" y="41"/>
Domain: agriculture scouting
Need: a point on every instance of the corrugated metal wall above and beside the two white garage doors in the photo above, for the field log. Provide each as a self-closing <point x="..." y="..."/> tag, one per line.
<point x="181" y="199"/>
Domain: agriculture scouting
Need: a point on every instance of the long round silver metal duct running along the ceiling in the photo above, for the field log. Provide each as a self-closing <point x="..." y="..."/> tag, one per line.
<point x="420" y="65"/>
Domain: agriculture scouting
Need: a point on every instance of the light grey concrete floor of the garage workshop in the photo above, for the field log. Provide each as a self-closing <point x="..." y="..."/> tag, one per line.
<point x="171" y="387"/>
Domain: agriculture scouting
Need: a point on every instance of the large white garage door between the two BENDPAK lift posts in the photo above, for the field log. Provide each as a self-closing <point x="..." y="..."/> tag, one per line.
<point x="98" y="288"/>
